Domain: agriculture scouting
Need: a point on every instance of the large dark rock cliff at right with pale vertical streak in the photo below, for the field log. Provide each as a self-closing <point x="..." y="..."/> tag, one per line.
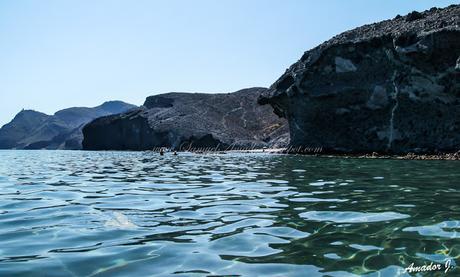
<point x="392" y="86"/>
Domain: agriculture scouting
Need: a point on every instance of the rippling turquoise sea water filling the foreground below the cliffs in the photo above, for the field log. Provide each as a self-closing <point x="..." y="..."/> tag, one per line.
<point x="66" y="213"/>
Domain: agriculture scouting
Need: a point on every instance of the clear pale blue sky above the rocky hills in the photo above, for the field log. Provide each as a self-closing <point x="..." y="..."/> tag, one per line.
<point x="61" y="53"/>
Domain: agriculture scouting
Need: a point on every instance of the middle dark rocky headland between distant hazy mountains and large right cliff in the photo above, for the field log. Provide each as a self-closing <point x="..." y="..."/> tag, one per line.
<point x="190" y="120"/>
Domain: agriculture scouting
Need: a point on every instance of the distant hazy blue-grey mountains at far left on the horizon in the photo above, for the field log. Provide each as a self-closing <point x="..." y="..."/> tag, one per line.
<point x="35" y="130"/>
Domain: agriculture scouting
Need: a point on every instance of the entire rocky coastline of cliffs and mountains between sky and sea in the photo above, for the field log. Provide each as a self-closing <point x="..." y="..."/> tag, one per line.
<point x="385" y="90"/>
